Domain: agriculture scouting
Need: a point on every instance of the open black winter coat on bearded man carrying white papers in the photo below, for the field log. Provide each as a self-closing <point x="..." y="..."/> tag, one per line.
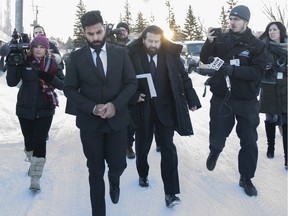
<point x="181" y="96"/>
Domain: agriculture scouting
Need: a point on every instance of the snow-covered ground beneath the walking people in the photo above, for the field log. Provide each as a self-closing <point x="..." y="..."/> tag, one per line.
<point x="65" y="189"/>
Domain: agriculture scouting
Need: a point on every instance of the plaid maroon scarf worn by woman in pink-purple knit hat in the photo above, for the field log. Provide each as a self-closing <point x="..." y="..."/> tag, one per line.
<point x="48" y="65"/>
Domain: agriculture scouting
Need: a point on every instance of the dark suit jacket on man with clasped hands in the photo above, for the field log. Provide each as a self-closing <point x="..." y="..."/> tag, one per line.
<point x="85" y="87"/>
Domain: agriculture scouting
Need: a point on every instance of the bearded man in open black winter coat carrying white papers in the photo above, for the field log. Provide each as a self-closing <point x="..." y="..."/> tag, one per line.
<point x="152" y="54"/>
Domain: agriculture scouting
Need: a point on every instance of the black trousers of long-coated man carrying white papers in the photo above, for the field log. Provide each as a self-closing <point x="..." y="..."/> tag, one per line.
<point x="169" y="158"/>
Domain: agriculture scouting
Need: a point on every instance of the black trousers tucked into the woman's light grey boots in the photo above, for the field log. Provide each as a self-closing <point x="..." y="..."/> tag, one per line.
<point x="35" y="133"/>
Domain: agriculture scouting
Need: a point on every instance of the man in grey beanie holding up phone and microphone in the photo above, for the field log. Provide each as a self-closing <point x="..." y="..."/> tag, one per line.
<point x="244" y="57"/>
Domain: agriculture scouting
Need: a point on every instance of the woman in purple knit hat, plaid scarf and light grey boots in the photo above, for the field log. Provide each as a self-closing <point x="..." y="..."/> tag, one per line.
<point x="36" y="101"/>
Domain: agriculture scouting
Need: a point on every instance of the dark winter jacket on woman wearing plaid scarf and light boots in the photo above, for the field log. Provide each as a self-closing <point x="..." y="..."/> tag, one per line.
<point x="31" y="102"/>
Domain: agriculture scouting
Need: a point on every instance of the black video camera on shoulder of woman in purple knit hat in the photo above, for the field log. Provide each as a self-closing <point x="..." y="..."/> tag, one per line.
<point x="17" y="48"/>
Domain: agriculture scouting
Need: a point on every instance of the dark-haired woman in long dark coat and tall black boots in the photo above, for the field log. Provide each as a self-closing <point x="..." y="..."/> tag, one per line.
<point x="273" y="95"/>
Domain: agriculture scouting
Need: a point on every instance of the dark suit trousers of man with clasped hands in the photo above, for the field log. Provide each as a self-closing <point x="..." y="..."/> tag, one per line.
<point x="100" y="146"/>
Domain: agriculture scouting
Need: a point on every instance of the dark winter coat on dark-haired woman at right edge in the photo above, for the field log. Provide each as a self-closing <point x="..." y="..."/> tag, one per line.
<point x="273" y="95"/>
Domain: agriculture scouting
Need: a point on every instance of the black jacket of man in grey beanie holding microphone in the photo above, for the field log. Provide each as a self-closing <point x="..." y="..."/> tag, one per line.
<point x="246" y="78"/>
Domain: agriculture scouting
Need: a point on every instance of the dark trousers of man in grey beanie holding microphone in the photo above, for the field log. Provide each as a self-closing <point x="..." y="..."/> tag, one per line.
<point x="222" y="121"/>
